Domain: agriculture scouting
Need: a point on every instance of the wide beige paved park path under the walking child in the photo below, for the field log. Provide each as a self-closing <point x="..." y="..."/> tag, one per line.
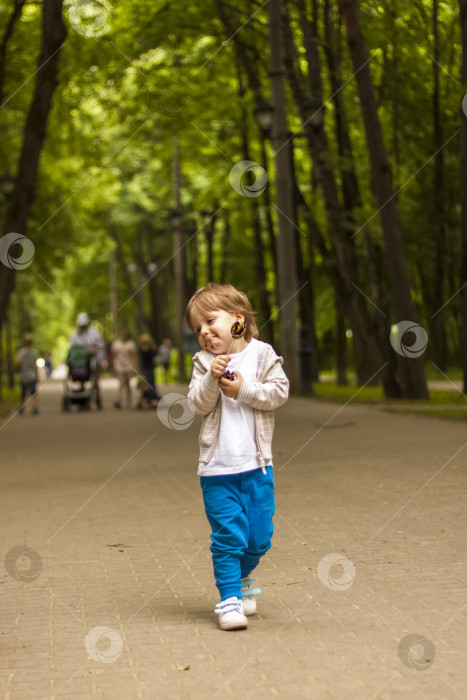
<point x="107" y="507"/>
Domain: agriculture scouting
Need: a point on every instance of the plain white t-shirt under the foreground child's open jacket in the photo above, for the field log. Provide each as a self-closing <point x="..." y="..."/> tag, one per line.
<point x="236" y="449"/>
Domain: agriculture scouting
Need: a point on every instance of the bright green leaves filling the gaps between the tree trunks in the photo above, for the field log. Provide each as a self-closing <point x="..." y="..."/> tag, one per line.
<point x="139" y="74"/>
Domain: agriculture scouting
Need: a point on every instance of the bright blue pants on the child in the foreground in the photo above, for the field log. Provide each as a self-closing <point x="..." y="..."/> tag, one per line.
<point x="239" y="508"/>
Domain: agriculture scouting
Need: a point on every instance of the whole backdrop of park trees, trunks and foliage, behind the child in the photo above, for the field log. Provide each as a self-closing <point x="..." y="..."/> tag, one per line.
<point x="358" y="128"/>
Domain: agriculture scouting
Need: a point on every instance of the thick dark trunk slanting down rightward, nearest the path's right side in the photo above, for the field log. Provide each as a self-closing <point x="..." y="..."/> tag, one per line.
<point x="412" y="370"/>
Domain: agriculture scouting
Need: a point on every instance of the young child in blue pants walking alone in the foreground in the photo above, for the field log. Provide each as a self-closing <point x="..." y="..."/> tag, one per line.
<point x="235" y="461"/>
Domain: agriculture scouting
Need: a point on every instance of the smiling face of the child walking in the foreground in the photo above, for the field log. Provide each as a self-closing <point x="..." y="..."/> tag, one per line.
<point x="213" y="329"/>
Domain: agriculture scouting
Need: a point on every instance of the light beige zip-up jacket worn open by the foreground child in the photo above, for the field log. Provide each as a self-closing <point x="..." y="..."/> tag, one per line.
<point x="268" y="392"/>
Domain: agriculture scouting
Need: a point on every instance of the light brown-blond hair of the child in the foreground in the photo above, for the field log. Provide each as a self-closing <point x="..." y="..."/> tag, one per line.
<point x="226" y="297"/>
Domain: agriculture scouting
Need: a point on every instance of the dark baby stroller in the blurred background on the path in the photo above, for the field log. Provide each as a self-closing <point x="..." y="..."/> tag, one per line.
<point x="80" y="384"/>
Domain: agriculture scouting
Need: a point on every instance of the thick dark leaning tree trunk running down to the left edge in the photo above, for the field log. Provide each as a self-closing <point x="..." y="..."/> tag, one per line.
<point x="16" y="220"/>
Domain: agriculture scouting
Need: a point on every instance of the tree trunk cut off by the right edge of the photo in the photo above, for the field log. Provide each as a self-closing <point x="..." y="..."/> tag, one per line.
<point x="463" y="271"/>
